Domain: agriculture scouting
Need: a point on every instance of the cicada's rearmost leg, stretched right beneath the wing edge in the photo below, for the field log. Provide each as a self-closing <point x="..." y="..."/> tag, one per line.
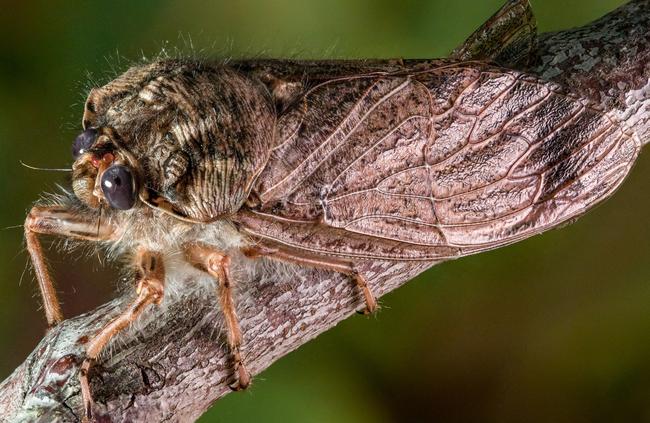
<point x="327" y="263"/>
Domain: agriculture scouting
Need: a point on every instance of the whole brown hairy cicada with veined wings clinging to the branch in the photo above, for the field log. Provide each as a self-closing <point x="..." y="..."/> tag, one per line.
<point x="322" y="164"/>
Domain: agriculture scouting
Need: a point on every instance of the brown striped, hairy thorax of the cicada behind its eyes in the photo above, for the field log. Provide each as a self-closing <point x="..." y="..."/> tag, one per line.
<point x="199" y="133"/>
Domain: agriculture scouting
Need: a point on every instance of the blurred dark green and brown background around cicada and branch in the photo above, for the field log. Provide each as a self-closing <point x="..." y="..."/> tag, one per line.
<point x="553" y="329"/>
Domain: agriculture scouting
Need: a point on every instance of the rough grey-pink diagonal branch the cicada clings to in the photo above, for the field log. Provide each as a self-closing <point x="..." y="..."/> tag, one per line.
<point x="175" y="364"/>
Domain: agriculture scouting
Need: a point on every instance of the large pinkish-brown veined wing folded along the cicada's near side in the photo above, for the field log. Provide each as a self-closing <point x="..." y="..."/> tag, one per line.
<point x="435" y="164"/>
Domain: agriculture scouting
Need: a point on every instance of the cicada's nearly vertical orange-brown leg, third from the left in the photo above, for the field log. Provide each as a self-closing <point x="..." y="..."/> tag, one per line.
<point x="217" y="264"/>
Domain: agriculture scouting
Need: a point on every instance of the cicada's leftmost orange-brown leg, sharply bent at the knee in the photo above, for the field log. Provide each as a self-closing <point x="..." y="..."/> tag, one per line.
<point x="60" y="221"/>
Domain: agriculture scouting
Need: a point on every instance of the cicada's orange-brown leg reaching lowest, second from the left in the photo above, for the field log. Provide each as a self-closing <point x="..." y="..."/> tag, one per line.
<point x="150" y="290"/>
